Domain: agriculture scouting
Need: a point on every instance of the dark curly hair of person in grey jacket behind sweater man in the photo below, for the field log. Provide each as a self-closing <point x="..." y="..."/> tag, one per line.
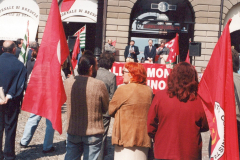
<point x="106" y="60"/>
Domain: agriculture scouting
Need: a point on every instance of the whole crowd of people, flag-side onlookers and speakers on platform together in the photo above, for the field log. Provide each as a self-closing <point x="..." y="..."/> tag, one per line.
<point x="141" y="119"/>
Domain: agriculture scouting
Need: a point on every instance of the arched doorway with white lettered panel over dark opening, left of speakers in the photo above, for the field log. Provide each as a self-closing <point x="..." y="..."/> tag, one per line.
<point x="82" y="13"/>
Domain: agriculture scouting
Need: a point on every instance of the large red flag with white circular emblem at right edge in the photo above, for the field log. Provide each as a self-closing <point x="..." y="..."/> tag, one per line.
<point x="217" y="92"/>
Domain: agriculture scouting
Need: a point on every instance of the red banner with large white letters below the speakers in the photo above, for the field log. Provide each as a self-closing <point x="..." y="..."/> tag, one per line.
<point x="156" y="75"/>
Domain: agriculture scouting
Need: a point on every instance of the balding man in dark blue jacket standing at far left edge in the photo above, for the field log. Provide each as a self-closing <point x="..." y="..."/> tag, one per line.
<point x="12" y="79"/>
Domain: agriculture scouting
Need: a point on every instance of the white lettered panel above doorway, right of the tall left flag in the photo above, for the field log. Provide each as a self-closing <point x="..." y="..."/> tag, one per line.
<point x="84" y="11"/>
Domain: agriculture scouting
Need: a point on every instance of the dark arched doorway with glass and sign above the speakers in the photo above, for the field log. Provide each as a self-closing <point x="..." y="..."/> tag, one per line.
<point x="158" y="19"/>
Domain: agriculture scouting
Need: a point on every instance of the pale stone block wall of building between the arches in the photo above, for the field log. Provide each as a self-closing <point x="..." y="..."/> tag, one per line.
<point x="207" y="17"/>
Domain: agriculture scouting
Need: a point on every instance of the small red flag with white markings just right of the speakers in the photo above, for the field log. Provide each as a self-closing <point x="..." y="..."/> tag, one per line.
<point x="173" y="46"/>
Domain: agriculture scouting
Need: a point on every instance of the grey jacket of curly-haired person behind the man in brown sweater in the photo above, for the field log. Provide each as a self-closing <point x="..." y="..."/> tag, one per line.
<point x="110" y="81"/>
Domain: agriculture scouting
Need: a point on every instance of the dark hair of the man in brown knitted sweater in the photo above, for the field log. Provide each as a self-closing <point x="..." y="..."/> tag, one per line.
<point x="85" y="62"/>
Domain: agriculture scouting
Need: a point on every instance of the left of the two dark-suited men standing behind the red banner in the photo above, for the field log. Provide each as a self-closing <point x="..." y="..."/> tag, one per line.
<point x="131" y="51"/>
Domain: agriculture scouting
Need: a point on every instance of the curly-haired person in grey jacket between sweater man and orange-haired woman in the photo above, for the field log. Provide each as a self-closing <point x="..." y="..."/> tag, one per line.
<point x="105" y="63"/>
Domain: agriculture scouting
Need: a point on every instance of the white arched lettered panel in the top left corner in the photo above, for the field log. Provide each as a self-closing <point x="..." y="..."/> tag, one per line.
<point x="14" y="15"/>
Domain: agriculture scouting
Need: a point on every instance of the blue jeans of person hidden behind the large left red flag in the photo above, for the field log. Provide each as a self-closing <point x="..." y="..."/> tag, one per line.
<point x="31" y="127"/>
